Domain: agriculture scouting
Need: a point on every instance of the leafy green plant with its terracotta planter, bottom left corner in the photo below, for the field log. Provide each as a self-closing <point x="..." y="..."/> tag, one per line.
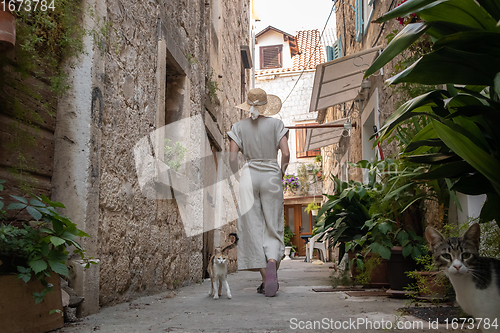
<point x="35" y="252"/>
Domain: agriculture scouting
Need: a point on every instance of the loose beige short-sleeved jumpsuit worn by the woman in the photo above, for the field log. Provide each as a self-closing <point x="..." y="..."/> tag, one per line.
<point x="260" y="206"/>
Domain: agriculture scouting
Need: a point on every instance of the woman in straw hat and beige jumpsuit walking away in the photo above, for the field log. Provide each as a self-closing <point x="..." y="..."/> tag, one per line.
<point x="260" y="221"/>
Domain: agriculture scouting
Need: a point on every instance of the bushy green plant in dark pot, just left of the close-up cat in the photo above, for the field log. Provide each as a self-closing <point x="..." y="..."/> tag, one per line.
<point x="396" y="225"/>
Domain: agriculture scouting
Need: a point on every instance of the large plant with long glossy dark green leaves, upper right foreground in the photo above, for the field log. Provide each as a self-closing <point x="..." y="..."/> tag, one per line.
<point x="462" y="118"/>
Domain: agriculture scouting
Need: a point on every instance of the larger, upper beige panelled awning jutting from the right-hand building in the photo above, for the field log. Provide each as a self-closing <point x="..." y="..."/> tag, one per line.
<point x="339" y="80"/>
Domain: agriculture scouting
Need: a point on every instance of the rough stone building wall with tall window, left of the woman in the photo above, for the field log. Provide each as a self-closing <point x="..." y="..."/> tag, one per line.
<point x="149" y="69"/>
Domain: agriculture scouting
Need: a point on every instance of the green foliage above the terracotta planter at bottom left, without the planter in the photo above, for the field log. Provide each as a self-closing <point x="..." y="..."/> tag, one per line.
<point x="43" y="244"/>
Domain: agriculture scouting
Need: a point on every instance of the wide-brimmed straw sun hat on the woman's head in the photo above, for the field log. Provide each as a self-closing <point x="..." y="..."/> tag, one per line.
<point x="259" y="102"/>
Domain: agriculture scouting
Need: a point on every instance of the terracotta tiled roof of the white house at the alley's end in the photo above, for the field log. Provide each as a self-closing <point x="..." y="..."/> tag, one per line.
<point x="311" y="53"/>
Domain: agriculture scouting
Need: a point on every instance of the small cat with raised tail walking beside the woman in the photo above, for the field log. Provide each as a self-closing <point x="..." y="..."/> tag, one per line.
<point x="217" y="268"/>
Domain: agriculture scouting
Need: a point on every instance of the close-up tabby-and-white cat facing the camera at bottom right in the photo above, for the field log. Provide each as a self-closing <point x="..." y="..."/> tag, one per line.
<point x="475" y="279"/>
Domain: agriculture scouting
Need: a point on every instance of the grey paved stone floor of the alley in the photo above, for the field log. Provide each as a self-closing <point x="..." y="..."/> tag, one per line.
<point x="296" y="308"/>
